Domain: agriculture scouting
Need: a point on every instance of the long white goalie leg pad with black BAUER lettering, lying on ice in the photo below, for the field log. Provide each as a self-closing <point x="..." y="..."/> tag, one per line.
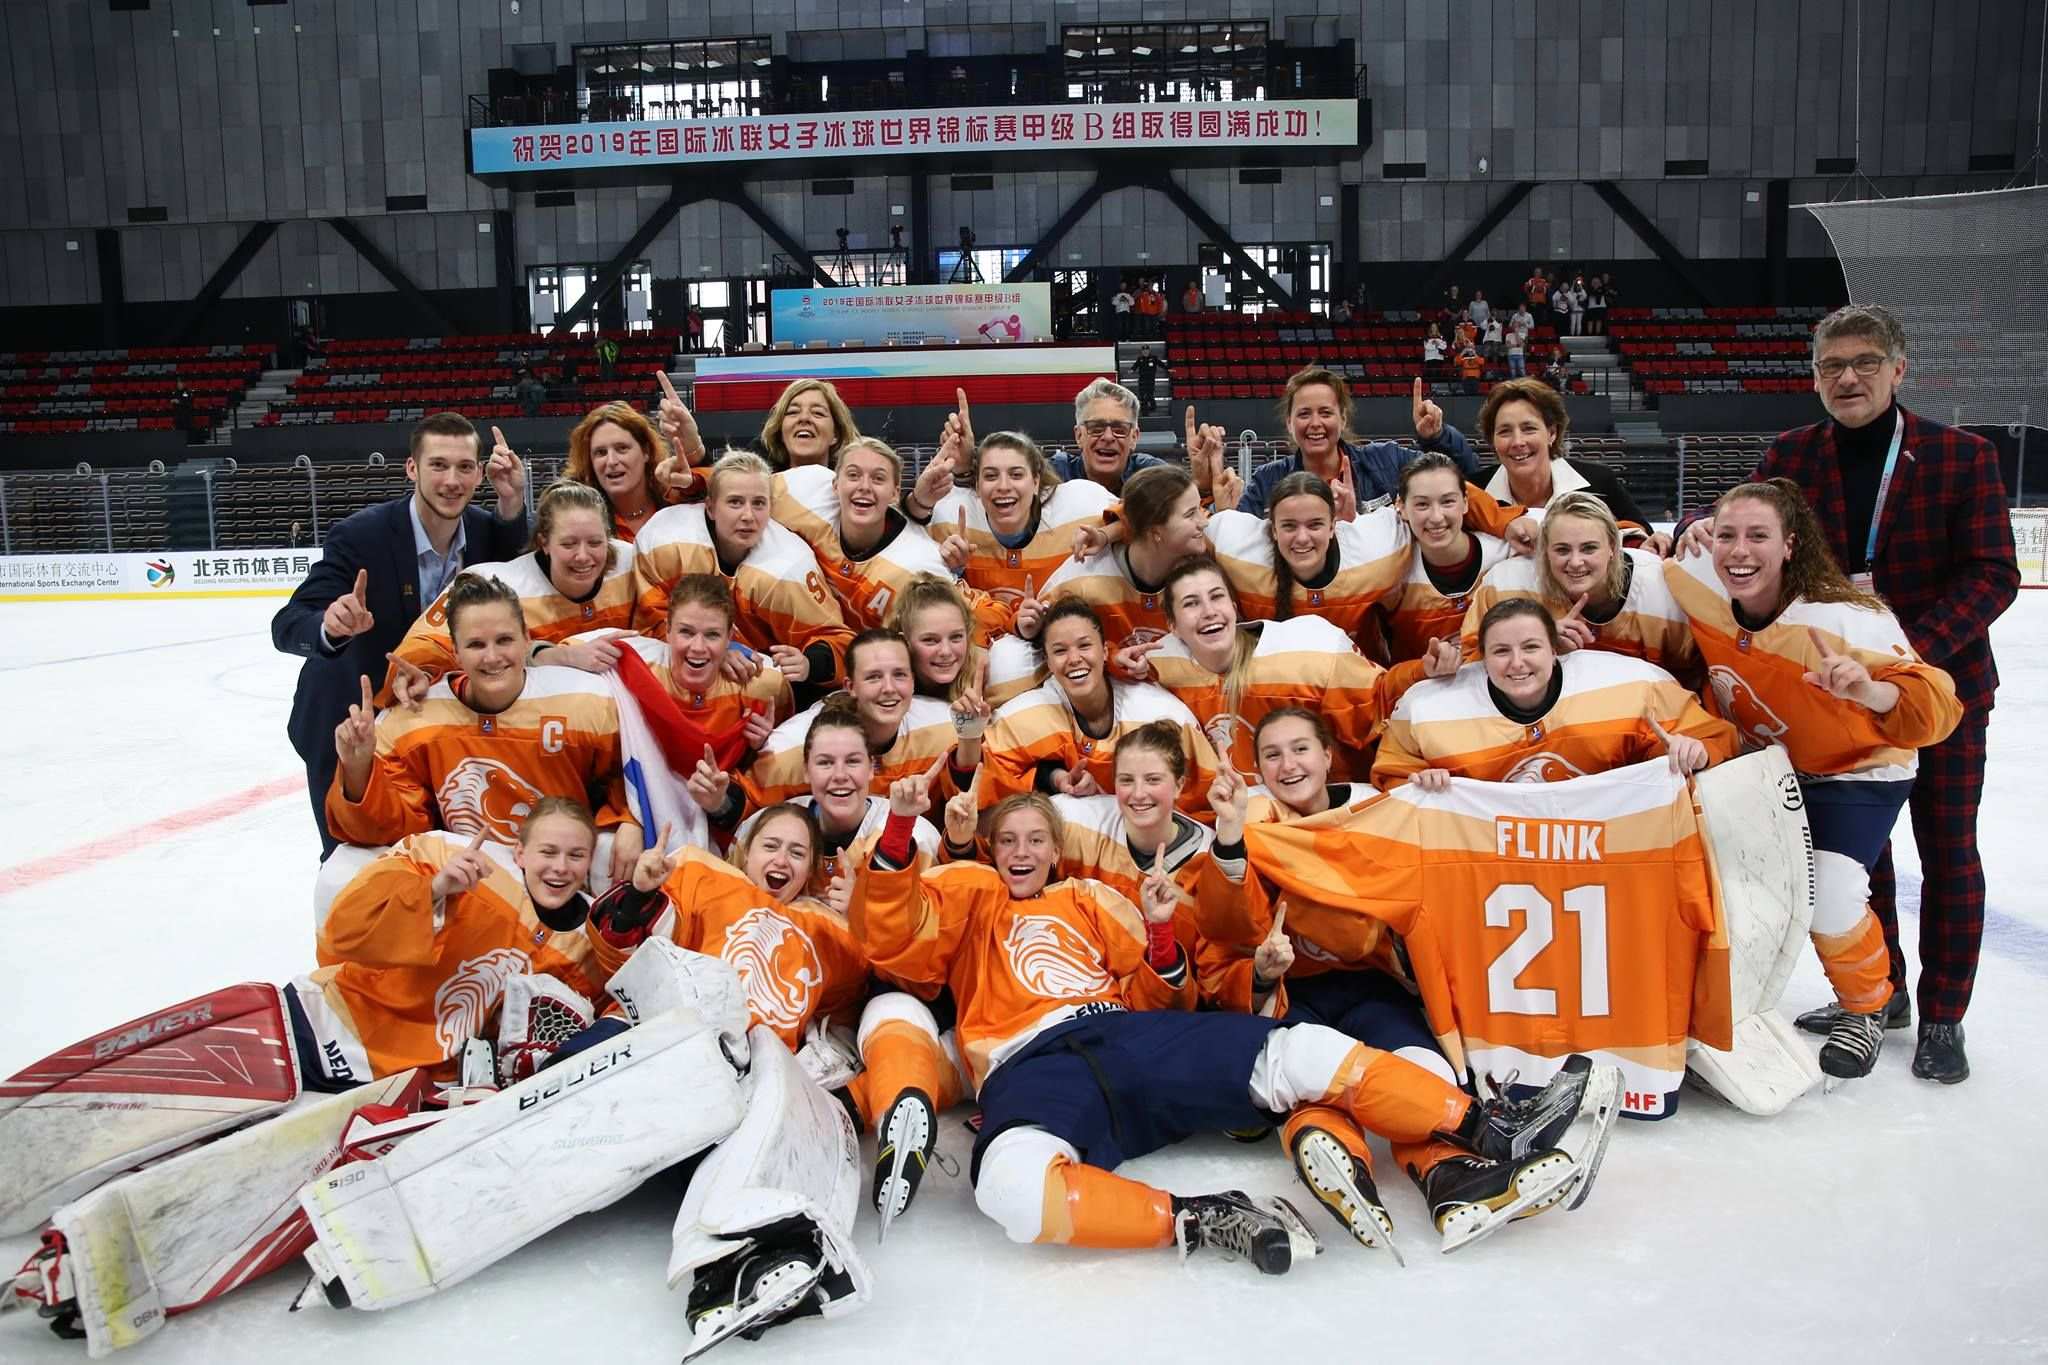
<point x="501" y="1174"/>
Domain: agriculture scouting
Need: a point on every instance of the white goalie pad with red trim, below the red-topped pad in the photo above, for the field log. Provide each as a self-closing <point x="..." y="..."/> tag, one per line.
<point x="208" y="1221"/>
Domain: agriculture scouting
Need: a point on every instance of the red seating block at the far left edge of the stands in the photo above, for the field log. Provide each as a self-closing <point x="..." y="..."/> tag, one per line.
<point x="50" y="392"/>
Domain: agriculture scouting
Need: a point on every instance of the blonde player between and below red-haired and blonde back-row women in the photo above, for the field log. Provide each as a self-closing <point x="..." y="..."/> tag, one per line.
<point x="783" y="609"/>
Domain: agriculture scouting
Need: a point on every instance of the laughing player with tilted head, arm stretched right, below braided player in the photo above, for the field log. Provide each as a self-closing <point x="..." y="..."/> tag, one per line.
<point x="1230" y="676"/>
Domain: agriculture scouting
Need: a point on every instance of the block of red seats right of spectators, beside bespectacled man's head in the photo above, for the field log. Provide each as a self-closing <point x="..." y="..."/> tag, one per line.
<point x="1717" y="351"/>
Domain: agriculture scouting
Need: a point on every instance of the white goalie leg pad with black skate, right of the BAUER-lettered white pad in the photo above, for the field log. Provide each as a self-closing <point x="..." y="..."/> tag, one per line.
<point x="796" y="1155"/>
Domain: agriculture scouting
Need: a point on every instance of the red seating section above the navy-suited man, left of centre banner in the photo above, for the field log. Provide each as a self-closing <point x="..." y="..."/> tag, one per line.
<point x="402" y="380"/>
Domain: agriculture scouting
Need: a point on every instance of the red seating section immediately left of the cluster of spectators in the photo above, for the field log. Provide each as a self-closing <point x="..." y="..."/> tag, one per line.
<point x="1238" y="357"/>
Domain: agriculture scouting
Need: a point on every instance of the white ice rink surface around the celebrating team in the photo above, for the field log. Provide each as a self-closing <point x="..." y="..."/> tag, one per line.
<point x="159" y="846"/>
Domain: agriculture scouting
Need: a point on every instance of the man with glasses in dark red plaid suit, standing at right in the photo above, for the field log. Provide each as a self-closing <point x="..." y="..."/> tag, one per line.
<point x="1938" y="543"/>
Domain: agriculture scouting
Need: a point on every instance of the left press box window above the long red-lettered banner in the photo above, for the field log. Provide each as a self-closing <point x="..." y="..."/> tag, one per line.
<point x="712" y="79"/>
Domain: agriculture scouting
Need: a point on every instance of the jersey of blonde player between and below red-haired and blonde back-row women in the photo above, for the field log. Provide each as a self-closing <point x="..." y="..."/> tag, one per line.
<point x="779" y="590"/>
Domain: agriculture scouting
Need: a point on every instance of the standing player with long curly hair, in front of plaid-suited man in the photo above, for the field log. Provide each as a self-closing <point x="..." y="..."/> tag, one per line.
<point x="1799" y="656"/>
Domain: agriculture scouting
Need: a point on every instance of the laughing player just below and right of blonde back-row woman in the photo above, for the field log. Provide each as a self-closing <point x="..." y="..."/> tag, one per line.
<point x="865" y="545"/>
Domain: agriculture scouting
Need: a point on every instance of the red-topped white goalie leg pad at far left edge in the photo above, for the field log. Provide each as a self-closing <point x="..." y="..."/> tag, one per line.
<point x="83" y="1116"/>
